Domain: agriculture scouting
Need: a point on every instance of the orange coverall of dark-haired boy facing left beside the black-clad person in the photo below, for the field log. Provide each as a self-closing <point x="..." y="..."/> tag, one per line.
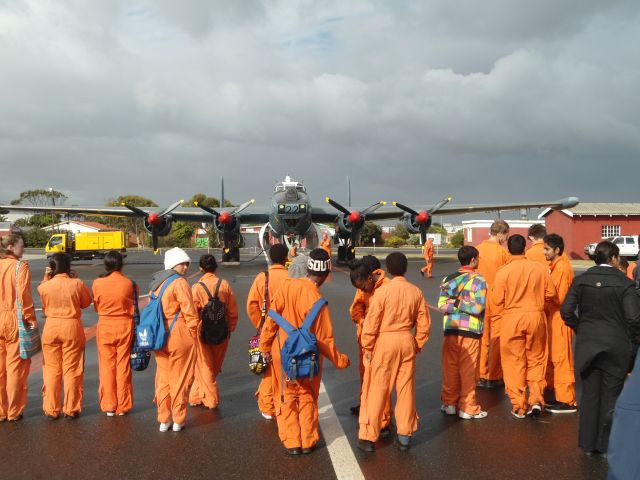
<point x="560" y="373"/>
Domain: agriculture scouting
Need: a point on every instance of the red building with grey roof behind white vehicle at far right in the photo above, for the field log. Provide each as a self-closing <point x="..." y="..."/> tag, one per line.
<point x="591" y="222"/>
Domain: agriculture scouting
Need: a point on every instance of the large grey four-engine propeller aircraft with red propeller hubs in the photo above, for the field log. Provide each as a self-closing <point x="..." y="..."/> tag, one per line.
<point x="290" y="218"/>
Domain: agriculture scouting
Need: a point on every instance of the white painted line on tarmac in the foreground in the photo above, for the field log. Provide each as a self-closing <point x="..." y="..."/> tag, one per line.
<point x="344" y="461"/>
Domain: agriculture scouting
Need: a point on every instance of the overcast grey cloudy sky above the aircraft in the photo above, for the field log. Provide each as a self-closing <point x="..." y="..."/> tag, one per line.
<point x="500" y="100"/>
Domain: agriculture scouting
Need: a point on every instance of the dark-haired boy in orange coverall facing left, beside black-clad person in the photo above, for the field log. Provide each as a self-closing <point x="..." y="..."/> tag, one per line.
<point x="560" y="373"/>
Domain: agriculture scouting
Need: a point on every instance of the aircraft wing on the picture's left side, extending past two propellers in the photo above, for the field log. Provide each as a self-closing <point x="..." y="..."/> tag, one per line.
<point x="182" y="214"/>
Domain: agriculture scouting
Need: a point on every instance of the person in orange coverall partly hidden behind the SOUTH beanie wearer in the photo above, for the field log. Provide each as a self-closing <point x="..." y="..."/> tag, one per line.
<point x="256" y="301"/>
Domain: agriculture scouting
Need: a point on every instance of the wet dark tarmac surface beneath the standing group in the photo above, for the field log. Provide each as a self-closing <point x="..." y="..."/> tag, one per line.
<point x="234" y="441"/>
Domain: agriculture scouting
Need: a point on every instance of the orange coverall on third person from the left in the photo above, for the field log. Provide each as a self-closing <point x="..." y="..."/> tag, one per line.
<point x="113" y="300"/>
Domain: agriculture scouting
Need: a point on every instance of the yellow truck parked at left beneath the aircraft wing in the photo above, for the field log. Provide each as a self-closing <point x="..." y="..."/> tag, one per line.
<point x="86" y="245"/>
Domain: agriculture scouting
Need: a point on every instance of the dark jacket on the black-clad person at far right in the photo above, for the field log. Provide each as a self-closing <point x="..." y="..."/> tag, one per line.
<point x="602" y="308"/>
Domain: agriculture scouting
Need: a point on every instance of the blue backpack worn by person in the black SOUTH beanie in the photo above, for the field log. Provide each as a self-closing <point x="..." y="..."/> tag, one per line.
<point x="300" y="355"/>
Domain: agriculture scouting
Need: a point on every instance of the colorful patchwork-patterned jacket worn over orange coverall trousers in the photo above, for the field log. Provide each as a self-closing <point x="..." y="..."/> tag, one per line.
<point x="462" y="300"/>
